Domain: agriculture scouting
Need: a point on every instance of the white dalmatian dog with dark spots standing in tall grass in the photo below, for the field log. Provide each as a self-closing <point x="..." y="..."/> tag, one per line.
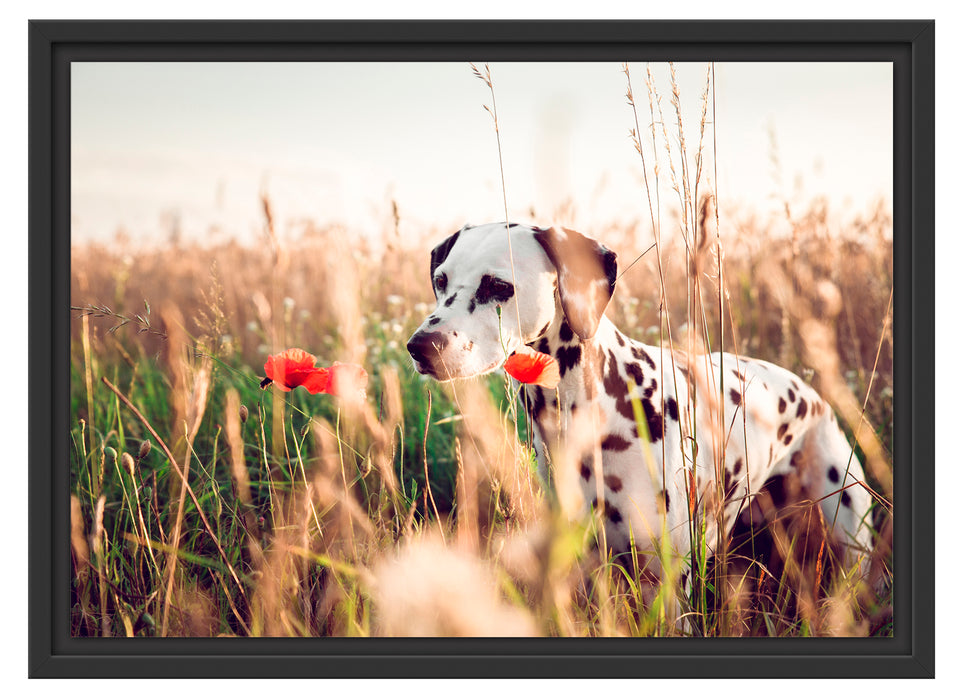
<point x="654" y="414"/>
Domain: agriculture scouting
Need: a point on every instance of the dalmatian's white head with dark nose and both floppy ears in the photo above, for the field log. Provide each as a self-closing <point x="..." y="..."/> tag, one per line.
<point x="484" y="312"/>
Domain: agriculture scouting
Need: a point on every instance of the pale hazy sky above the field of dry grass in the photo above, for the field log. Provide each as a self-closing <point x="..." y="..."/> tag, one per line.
<point x="336" y="142"/>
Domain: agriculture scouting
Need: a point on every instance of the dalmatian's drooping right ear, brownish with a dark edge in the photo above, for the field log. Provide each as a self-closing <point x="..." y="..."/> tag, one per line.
<point x="585" y="273"/>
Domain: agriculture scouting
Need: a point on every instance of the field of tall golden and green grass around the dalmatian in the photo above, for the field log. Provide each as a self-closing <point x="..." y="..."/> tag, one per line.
<point x="205" y="505"/>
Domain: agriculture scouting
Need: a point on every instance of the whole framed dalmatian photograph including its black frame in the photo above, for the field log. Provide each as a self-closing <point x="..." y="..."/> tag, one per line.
<point x="526" y="348"/>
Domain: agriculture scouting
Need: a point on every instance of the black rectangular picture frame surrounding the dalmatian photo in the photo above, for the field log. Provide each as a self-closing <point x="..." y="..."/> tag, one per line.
<point x="53" y="45"/>
